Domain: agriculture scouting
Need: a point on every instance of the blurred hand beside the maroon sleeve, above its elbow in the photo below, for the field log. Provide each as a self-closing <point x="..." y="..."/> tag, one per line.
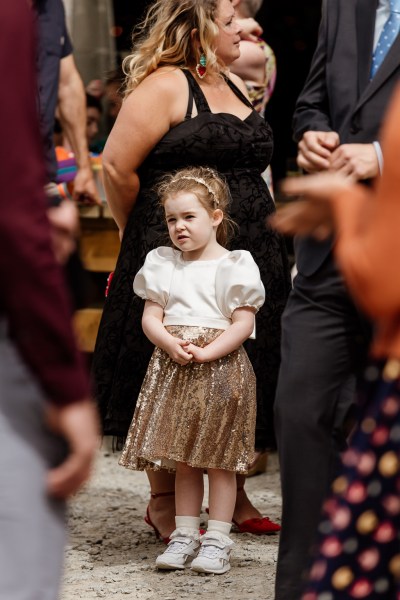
<point x="64" y="222"/>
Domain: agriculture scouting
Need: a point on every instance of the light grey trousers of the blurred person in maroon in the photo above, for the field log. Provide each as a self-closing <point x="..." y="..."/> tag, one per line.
<point x="32" y="525"/>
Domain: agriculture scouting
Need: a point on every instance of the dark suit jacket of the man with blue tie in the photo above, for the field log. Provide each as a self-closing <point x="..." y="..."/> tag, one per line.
<point x="338" y="95"/>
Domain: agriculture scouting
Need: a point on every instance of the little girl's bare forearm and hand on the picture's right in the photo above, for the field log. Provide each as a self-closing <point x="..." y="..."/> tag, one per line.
<point x="230" y="340"/>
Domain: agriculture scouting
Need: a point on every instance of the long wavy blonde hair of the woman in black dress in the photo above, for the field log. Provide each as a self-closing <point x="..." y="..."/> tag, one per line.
<point x="164" y="38"/>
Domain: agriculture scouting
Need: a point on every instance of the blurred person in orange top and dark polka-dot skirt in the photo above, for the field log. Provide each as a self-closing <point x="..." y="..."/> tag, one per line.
<point x="359" y="555"/>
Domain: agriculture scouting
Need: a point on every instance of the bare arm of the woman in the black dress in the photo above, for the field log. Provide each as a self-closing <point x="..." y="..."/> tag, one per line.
<point x="148" y="113"/>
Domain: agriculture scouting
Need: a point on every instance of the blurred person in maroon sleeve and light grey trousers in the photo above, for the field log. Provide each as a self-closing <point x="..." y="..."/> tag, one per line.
<point x="48" y="425"/>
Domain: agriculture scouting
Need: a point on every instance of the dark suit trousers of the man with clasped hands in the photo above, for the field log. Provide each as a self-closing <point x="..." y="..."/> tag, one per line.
<point x="323" y="343"/>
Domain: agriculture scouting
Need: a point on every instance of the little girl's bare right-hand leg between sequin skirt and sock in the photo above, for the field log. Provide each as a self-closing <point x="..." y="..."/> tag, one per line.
<point x="222" y="494"/>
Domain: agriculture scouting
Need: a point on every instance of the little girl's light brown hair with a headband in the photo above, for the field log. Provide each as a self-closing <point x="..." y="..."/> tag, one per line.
<point x="209" y="188"/>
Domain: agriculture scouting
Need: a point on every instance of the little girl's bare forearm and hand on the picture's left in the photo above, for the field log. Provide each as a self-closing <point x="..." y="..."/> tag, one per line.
<point x="152" y="323"/>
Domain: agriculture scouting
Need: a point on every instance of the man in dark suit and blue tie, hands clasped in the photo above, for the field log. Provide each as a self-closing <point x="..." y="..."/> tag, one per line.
<point x="337" y="123"/>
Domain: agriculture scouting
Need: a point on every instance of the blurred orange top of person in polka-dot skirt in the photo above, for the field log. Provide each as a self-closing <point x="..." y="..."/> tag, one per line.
<point x="368" y="244"/>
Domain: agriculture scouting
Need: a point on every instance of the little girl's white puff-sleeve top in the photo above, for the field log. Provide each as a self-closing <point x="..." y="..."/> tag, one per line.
<point x="200" y="293"/>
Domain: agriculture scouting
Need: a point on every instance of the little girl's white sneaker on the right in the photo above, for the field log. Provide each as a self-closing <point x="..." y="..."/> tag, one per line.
<point x="214" y="554"/>
